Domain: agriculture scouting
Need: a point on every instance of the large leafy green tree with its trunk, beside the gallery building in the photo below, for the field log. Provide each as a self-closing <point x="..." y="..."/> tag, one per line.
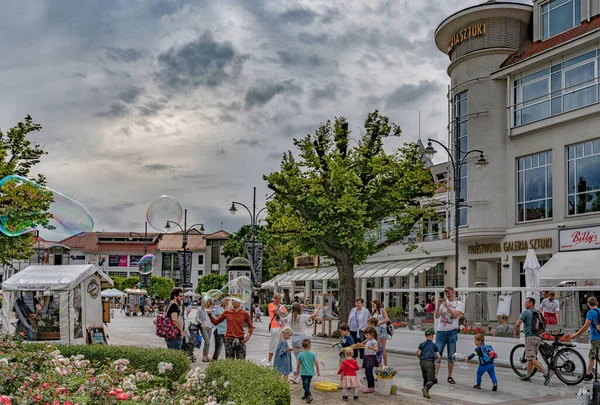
<point x="334" y="196"/>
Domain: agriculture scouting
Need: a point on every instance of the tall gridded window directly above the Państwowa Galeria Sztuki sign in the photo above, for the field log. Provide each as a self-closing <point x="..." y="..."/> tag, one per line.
<point x="534" y="194"/>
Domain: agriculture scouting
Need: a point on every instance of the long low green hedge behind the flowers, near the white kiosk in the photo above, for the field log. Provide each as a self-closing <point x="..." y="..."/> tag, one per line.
<point x="140" y="358"/>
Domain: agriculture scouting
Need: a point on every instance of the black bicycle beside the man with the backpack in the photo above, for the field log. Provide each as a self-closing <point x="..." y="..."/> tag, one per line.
<point x="560" y="357"/>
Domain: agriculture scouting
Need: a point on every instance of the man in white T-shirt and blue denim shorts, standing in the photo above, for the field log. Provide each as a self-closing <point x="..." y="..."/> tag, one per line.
<point x="448" y="312"/>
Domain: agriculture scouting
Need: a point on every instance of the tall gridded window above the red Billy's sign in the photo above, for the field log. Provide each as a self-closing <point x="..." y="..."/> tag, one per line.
<point x="584" y="177"/>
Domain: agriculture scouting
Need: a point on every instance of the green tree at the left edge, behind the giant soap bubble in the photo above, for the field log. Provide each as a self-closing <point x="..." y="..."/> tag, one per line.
<point x="26" y="203"/>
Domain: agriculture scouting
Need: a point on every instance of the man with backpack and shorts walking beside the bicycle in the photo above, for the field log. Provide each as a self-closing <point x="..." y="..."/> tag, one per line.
<point x="534" y="326"/>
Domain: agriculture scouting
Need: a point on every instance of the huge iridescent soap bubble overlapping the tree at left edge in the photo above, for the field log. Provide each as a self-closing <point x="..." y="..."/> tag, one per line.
<point x="67" y="215"/>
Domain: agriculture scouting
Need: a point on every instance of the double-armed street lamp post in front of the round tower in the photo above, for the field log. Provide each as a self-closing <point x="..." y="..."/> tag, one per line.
<point x="457" y="163"/>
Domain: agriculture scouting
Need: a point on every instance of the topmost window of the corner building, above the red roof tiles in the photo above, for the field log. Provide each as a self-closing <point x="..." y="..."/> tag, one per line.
<point x="559" y="16"/>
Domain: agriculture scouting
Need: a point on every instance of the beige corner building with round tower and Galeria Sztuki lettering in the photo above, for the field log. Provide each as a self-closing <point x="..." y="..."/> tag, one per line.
<point x="524" y="89"/>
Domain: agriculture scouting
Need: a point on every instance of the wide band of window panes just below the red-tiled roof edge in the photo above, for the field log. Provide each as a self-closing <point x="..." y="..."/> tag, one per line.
<point x="565" y="86"/>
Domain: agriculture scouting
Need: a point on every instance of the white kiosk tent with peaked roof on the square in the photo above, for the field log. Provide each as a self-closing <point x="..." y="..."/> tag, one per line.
<point x="69" y="296"/>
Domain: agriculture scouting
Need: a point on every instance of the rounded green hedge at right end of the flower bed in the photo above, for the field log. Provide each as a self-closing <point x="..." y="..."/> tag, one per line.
<point x="251" y="384"/>
